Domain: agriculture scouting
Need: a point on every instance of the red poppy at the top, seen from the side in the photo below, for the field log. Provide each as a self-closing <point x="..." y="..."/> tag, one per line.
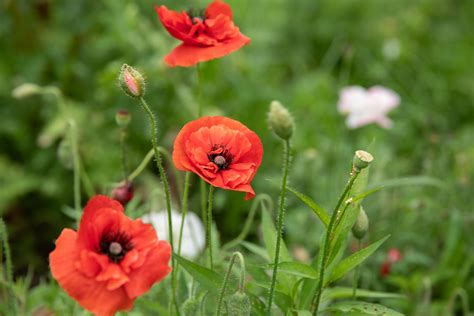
<point x="207" y="36"/>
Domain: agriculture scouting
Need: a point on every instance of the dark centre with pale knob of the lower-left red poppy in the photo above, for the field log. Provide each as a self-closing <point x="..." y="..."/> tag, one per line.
<point x="115" y="245"/>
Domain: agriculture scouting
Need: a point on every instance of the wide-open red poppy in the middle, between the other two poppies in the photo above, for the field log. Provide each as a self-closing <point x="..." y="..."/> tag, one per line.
<point x="222" y="151"/>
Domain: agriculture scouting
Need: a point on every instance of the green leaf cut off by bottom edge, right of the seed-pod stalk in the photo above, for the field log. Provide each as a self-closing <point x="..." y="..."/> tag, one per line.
<point x="361" y="308"/>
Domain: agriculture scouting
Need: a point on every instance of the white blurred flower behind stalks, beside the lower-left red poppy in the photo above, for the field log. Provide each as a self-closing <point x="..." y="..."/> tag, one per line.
<point x="194" y="236"/>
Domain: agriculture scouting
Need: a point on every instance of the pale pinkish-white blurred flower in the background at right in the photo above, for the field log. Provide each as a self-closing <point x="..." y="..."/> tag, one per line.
<point x="366" y="106"/>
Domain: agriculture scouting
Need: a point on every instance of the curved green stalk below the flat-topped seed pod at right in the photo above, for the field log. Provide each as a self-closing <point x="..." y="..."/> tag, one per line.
<point x="327" y="240"/>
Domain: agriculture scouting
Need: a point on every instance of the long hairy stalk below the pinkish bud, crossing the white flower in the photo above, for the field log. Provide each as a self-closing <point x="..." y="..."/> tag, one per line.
<point x="166" y="189"/>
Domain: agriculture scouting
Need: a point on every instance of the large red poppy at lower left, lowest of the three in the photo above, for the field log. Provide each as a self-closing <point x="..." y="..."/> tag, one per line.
<point x="110" y="260"/>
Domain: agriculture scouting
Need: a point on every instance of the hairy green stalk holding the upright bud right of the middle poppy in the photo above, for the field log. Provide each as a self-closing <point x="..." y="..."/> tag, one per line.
<point x="280" y="219"/>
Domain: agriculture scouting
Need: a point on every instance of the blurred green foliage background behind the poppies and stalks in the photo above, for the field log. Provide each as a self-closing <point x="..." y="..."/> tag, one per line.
<point x="302" y="53"/>
